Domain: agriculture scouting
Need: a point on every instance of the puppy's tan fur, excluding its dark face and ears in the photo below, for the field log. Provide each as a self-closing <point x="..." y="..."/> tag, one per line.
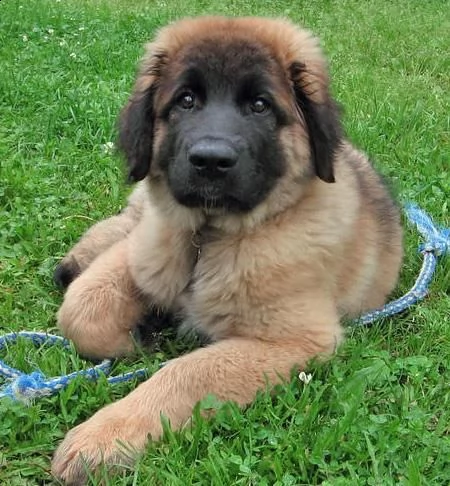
<point x="269" y="287"/>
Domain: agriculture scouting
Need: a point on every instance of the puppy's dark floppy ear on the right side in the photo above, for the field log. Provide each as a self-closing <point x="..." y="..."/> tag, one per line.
<point x="321" y="116"/>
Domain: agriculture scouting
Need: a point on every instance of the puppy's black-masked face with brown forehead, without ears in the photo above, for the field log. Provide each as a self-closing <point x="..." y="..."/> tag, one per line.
<point x="222" y="119"/>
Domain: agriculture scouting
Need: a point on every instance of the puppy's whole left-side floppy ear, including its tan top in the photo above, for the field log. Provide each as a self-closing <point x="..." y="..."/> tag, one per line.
<point x="136" y="121"/>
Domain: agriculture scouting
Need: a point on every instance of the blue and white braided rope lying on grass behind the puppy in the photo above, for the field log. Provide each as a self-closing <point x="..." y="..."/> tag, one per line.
<point x="25" y="387"/>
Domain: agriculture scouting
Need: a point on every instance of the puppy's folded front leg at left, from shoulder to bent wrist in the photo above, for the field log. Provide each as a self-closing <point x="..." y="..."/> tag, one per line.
<point x="104" y="304"/>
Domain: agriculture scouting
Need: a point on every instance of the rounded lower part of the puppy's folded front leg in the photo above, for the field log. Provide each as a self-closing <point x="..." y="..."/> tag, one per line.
<point x="102" y="306"/>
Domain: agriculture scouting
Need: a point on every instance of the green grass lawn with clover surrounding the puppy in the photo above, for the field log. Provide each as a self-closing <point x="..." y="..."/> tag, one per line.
<point x="379" y="412"/>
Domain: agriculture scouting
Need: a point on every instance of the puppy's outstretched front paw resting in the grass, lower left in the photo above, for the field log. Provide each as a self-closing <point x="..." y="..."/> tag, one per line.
<point x="114" y="436"/>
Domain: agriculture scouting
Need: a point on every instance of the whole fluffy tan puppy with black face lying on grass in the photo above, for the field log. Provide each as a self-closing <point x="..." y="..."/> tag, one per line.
<point x="255" y="221"/>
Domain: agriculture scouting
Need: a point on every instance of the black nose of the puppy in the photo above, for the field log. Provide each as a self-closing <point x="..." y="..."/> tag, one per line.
<point x="212" y="158"/>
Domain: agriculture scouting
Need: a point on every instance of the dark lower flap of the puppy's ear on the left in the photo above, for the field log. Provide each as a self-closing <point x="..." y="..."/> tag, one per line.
<point x="136" y="133"/>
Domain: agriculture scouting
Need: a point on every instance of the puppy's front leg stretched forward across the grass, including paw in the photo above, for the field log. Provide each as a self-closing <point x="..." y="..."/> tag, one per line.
<point x="233" y="369"/>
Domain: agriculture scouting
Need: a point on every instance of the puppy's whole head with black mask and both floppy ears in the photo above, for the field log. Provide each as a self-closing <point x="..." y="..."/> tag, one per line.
<point x="225" y="109"/>
